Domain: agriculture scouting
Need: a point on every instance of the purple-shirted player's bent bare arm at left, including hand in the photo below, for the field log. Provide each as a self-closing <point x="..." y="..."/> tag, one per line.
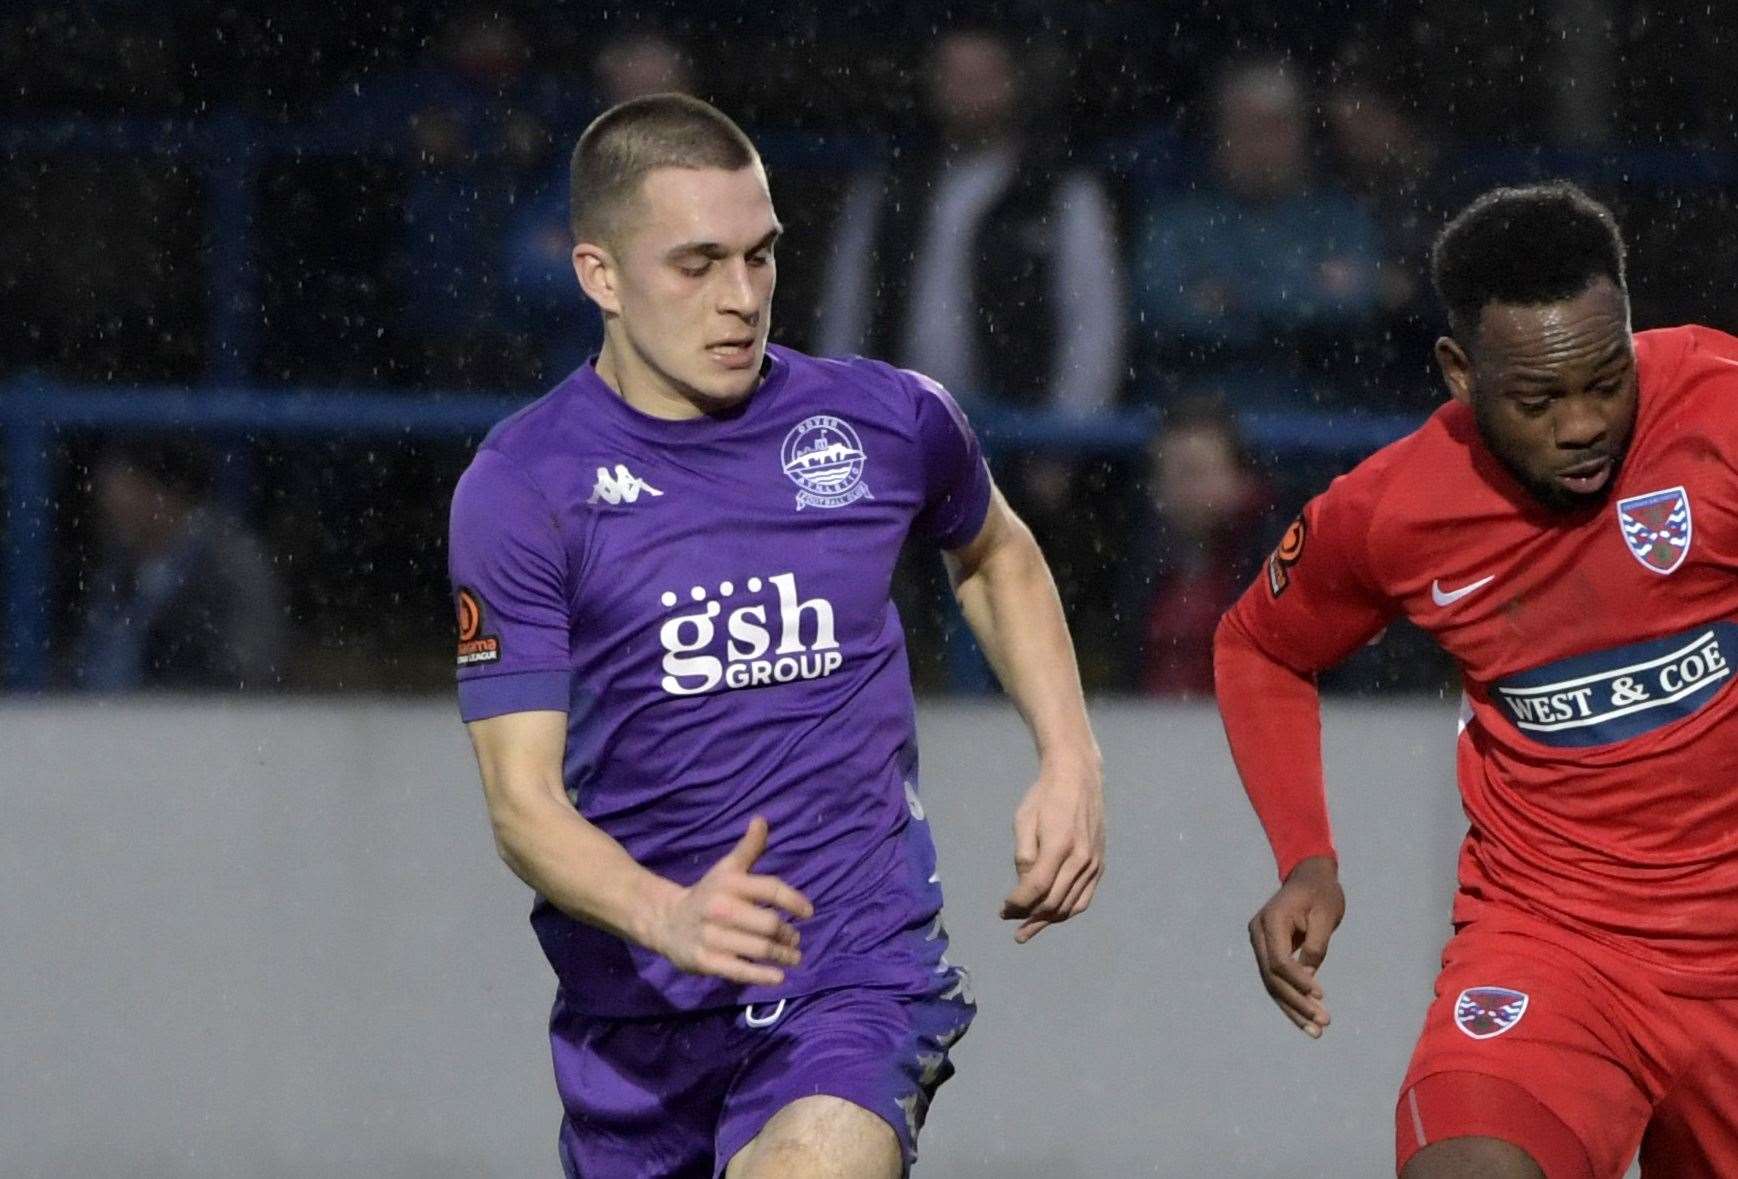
<point x="729" y="924"/>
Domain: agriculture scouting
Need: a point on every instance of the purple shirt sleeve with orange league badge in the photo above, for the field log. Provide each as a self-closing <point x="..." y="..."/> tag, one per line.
<point x="510" y="592"/>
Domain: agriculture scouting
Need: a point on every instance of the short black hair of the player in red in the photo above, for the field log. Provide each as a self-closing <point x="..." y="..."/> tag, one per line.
<point x="1523" y="246"/>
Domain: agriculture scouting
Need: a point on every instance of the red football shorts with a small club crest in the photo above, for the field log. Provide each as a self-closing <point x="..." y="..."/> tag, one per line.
<point x="1572" y="1053"/>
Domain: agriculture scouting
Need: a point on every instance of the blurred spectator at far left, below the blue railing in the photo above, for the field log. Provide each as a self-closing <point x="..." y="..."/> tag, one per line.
<point x="183" y="596"/>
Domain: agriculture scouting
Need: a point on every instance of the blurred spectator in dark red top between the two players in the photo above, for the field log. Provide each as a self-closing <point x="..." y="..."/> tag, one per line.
<point x="1200" y="535"/>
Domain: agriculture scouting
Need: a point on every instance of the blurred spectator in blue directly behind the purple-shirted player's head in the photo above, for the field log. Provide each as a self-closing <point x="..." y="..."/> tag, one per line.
<point x="543" y="298"/>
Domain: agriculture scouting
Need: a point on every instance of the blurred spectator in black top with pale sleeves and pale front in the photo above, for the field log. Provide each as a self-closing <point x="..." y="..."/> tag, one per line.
<point x="983" y="258"/>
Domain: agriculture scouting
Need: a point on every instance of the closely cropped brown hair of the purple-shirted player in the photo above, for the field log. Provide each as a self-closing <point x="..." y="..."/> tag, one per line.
<point x="642" y="135"/>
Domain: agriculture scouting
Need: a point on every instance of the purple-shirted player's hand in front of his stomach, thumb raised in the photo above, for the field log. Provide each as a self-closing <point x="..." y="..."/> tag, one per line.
<point x="729" y="923"/>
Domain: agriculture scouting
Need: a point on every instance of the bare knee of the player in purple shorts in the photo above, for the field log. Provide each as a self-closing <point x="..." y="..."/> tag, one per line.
<point x="821" y="1138"/>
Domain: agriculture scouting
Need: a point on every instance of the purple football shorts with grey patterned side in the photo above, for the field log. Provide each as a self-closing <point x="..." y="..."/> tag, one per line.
<point x="679" y="1096"/>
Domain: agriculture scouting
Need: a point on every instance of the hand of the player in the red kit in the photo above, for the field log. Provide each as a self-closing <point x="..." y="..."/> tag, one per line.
<point x="1290" y="940"/>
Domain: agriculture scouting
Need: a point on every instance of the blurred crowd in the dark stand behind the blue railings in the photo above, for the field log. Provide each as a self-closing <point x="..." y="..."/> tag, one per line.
<point x="1073" y="210"/>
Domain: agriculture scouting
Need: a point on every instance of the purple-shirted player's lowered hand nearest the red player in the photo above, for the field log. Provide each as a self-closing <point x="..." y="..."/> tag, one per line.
<point x="1058" y="848"/>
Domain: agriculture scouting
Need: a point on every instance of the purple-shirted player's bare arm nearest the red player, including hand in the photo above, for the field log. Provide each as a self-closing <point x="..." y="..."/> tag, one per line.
<point x="1011" y="603"/>
